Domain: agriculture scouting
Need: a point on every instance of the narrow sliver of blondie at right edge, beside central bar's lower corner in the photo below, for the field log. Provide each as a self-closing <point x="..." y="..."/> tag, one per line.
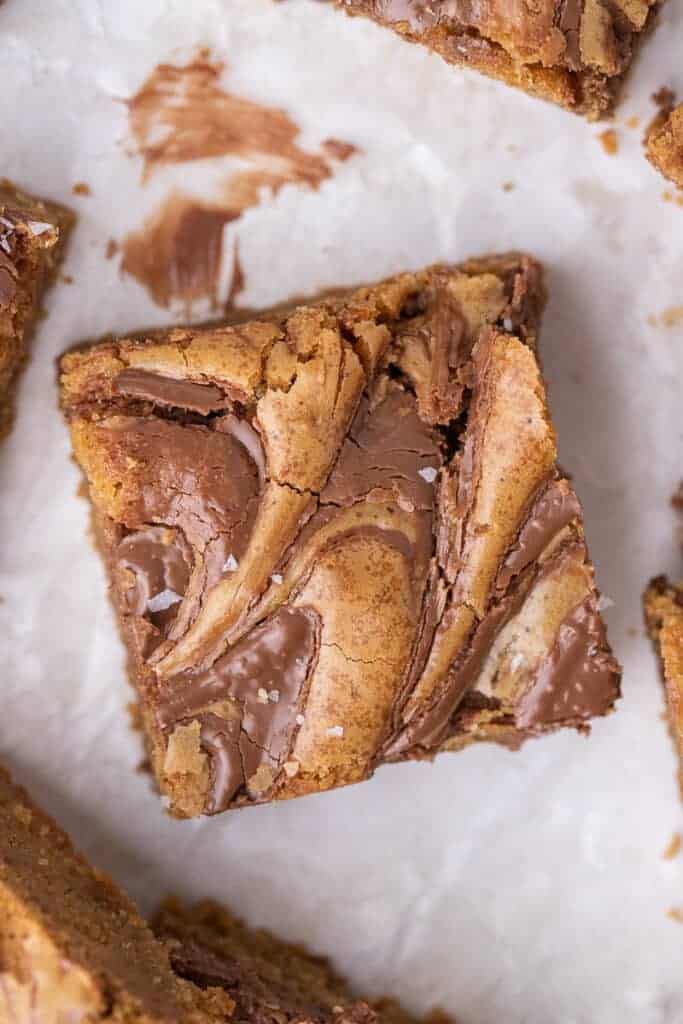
<point x="664" y="615"/>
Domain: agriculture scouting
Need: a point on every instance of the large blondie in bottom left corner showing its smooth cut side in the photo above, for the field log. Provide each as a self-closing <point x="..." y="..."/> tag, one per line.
<point x="72" y="946"/>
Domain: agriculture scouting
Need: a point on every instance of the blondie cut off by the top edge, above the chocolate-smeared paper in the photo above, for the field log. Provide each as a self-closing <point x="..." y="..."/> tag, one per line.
<point x="574" y="53"/>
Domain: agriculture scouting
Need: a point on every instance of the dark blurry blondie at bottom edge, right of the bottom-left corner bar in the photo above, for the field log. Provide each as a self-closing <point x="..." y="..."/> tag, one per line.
<point x="270" y="980"/>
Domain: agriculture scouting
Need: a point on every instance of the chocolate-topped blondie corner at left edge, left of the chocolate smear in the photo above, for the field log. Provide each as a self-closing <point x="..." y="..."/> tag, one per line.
<point x="32" y="237"/>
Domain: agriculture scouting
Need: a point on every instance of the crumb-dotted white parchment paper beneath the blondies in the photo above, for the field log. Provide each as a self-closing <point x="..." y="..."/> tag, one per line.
<point x="518" y="888"/>
